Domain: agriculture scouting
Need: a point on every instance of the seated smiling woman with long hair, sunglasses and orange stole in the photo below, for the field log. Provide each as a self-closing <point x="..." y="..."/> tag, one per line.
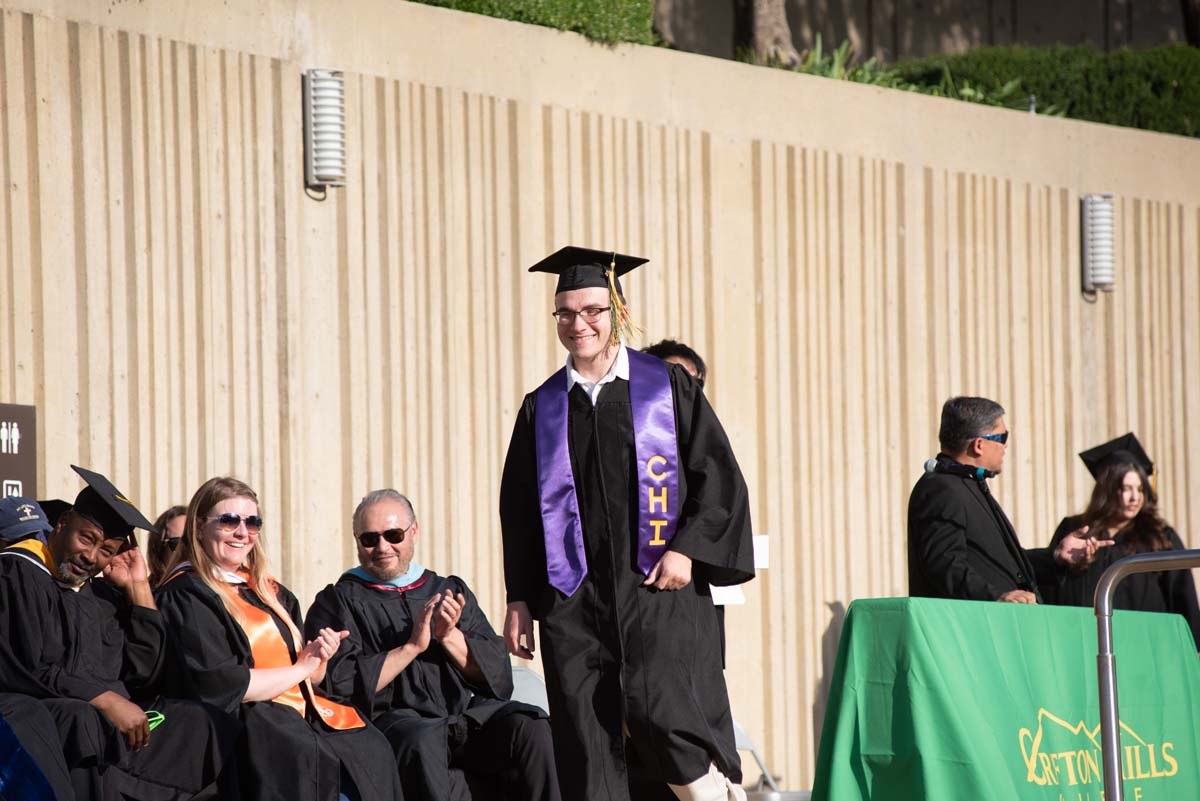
<point x="236" y="635"/>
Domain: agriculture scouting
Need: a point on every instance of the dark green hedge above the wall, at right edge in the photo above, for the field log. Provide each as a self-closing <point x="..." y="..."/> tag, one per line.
<point x="1156" y="89"/>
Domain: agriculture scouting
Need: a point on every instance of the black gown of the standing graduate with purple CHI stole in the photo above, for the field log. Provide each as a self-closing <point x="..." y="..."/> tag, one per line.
<point x="617" y="653"/>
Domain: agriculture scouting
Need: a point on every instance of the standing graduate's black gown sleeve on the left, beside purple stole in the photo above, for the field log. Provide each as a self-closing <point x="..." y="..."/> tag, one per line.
<point x="525" y="550"/>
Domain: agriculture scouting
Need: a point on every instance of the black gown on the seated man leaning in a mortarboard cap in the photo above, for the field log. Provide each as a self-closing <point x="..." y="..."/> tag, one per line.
<point x="65" y="648"/>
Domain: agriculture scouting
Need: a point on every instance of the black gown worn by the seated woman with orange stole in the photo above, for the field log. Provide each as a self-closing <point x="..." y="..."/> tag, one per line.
<point x="284" y="757"/>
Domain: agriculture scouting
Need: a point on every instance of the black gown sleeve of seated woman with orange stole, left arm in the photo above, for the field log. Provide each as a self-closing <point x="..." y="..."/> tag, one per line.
<point x="201" y="635"/>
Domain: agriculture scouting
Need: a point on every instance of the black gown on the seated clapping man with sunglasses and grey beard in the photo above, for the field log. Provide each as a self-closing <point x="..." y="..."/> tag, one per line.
<point x="430" y="710"/>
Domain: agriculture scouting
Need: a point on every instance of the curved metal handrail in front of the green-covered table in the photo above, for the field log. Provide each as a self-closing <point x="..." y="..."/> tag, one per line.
<point x="1111" y="728"/>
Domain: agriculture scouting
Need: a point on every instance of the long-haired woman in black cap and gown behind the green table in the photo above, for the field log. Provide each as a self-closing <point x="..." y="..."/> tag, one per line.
<point x="1125" y="509"/>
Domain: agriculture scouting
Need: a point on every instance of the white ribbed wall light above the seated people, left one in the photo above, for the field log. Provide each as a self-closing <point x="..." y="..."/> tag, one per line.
<point x="325" y="128"/>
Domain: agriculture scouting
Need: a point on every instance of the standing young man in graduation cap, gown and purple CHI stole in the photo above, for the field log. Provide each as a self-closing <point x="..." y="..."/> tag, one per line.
<point x="621" y="504"/>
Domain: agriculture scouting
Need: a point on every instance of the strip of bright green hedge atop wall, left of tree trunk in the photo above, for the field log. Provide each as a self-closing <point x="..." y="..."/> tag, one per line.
<point x="604" y="21"/>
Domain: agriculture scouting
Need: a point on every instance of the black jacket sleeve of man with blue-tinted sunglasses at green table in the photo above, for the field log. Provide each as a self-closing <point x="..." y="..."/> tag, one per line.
<point x="938" y="539"/>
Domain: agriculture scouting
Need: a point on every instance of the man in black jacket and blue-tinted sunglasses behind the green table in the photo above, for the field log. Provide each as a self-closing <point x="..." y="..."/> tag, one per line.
<point x="961" y="543"/>
